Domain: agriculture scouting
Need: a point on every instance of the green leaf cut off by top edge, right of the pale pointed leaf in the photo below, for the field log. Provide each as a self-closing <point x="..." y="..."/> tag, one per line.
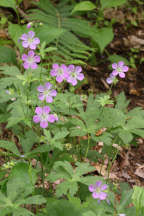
<point x="111" y="3"/>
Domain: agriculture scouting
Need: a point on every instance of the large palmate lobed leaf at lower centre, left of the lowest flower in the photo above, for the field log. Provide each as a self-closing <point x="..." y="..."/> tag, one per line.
<point x="71" y="177"/>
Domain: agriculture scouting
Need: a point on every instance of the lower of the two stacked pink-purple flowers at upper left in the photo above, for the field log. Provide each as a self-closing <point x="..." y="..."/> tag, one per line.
<point x="30" y="60"/>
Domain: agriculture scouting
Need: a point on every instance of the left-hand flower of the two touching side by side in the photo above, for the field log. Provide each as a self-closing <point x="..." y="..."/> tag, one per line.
<point x="60" y="72"/>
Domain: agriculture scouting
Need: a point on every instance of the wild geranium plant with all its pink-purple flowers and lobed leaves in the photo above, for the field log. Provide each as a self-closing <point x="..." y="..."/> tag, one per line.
<point x="57" y="133"/>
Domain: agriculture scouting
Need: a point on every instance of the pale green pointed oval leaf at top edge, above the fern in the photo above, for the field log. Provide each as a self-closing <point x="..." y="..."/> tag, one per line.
<point x="84" y="6"/>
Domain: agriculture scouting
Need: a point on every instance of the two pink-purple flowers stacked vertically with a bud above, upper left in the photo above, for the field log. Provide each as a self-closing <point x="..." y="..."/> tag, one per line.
<point x="30" y="42"/>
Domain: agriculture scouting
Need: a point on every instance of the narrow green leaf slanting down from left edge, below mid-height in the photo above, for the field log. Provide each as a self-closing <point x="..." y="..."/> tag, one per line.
<point x="10" y="146"/>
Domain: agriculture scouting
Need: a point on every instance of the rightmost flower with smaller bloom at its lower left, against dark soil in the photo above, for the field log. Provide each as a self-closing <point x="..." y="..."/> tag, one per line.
<point x="118" y="69"/>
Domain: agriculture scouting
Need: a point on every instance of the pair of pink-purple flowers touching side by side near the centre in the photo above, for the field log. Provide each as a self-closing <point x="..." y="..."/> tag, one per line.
<point x="69" y="73"/>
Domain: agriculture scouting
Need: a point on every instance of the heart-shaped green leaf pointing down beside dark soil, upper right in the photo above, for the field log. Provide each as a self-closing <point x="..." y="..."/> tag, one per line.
<point x="102" y="37"/>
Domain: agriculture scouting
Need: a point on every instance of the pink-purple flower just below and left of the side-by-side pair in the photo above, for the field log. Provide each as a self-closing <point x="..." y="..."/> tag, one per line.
<point x="46" y="92"/>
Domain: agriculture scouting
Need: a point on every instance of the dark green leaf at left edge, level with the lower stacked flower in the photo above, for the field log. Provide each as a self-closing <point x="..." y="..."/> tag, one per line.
<point x="7" y="55"/>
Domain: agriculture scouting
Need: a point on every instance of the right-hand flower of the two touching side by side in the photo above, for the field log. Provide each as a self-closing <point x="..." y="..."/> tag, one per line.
<point x="74" y="74"/>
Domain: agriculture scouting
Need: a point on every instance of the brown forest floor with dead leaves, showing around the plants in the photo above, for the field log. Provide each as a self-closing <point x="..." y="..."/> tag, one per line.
<point x="128" y="42"/>
